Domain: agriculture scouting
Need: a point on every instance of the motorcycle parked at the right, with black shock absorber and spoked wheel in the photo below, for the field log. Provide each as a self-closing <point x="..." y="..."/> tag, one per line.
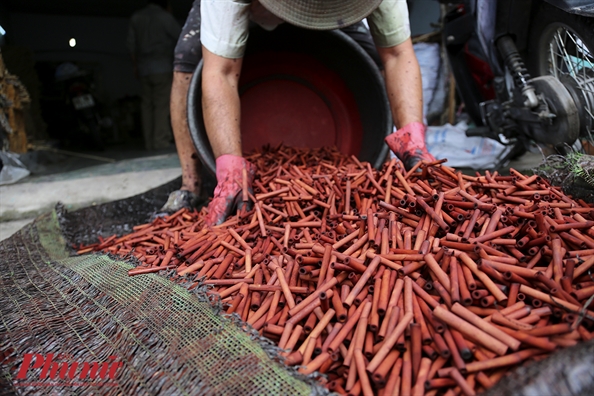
<point x="524" y="70"/>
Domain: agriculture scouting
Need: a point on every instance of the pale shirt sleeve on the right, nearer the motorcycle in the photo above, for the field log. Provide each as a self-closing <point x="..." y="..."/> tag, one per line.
<point x="389" y="24"/>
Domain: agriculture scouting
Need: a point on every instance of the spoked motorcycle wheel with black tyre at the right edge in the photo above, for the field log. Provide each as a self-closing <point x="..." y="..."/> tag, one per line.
<point x="562" y="45"/>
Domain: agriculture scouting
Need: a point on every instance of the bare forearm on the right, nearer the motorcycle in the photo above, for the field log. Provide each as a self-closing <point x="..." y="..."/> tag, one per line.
<point x="403" y="83"/>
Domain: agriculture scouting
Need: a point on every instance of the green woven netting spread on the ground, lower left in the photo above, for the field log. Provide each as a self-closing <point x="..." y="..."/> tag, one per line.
<point x="86" y="309"/>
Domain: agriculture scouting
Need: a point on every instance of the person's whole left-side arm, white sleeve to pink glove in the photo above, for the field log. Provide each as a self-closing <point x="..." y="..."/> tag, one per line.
<point x="223" y="33"/>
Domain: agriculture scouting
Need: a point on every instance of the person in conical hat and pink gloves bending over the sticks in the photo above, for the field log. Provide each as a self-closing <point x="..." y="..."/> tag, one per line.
<point x="218" y="30"/>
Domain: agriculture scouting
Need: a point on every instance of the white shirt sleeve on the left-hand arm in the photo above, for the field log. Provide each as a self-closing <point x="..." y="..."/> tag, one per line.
<point x="224" y="26"/>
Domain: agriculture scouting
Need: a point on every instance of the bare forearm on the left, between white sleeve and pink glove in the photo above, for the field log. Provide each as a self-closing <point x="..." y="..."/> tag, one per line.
<point x="220" y="103"/>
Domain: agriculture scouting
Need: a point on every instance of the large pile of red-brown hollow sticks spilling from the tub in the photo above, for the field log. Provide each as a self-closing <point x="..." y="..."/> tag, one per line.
<point x="390" y="282"/>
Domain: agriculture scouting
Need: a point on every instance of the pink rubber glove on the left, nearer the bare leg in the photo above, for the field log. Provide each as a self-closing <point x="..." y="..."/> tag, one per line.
<point x="227" y="194"/>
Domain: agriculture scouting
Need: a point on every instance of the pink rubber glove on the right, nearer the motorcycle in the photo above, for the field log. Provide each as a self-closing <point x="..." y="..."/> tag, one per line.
<point x="408" y="143"/>
